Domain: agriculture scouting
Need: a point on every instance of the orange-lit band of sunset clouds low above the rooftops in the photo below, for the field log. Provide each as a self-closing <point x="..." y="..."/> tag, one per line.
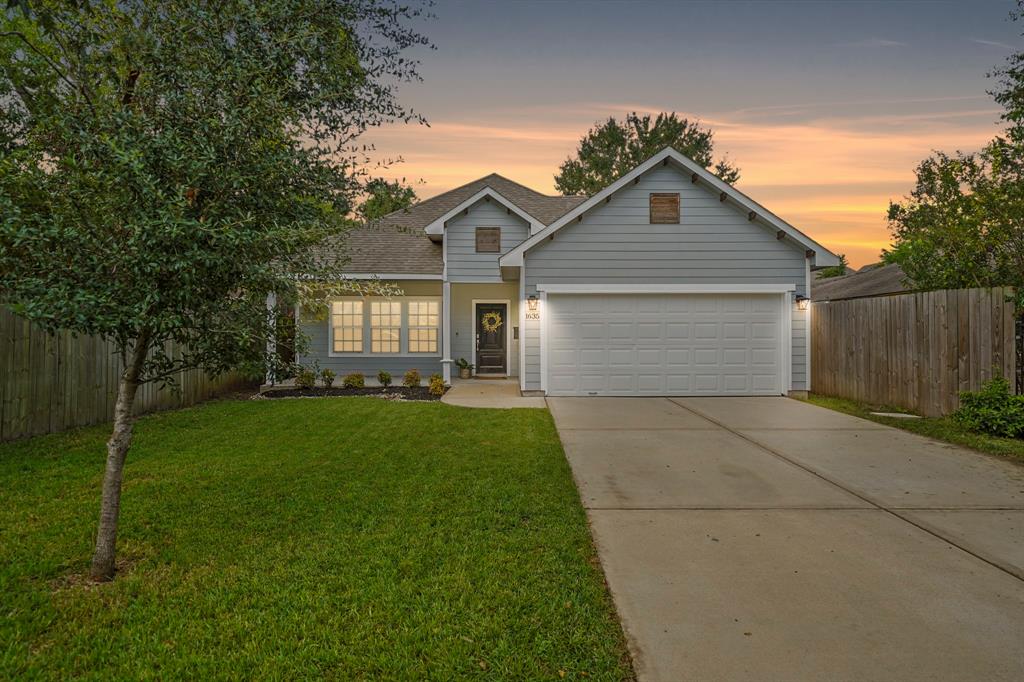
<point x="833" y="177"/>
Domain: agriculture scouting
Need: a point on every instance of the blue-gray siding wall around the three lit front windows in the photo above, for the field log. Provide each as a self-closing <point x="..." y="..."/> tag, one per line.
<point x="317" y="328"/>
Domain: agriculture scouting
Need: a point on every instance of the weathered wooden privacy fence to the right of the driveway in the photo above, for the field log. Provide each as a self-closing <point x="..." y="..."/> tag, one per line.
<point x="916" y="352"/>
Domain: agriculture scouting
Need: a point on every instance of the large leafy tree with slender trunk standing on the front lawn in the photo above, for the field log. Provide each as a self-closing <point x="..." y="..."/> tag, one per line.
<point x="166" y="166"/>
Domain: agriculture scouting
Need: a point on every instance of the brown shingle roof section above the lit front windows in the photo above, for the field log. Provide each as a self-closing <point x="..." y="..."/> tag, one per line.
<point x="398" y="244"/>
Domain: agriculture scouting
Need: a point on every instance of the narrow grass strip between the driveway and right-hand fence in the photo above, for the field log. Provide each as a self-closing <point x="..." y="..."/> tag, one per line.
<point x="943" y="429"/>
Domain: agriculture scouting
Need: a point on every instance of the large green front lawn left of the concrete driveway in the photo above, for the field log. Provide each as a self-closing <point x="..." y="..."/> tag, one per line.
<point x="337" y="538"/>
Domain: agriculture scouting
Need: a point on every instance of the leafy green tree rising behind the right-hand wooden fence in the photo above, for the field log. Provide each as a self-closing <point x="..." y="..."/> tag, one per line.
<point x="963" y="225"/>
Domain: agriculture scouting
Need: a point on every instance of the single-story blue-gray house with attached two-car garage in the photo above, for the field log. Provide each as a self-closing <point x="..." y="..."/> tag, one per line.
<point x="668" y="282"/>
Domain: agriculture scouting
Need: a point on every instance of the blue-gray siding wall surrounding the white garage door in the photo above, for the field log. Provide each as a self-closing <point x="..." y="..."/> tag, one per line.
<point x="713" y="244"/>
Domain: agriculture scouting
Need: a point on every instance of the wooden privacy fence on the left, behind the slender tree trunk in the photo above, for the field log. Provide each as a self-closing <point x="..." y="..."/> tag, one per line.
<point x="54" y="382"/>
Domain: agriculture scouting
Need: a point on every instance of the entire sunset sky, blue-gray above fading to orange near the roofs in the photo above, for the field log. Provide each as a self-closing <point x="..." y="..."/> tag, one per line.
<point x="826" y="107"/>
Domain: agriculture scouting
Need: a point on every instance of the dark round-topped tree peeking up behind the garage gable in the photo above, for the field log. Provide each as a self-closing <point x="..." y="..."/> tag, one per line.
<point x="615" y="148"/>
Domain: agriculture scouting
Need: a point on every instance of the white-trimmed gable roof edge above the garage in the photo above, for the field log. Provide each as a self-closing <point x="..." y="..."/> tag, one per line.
<point x="823" y="257"/>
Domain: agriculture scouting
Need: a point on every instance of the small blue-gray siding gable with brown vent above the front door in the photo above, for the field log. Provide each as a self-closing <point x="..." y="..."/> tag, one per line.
<point x="464" y="265"/>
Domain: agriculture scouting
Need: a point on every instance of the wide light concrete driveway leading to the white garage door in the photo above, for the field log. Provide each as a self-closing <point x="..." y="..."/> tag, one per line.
<point x="769" y="539"/>
